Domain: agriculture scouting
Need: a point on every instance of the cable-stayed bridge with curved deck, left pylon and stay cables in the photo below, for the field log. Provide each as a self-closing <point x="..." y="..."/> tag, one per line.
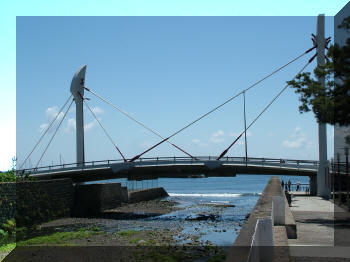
<point x="139" y="167"/>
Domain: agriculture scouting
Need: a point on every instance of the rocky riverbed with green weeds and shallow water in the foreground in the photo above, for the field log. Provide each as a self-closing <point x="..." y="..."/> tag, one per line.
<point x="153" y="228"/>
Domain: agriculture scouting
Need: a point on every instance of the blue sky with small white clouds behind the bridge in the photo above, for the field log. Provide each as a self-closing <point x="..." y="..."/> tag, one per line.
<point x="166" y="71"/>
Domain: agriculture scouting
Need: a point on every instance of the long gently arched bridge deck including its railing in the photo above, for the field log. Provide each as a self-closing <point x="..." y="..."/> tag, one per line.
<point x="175" y="167"/>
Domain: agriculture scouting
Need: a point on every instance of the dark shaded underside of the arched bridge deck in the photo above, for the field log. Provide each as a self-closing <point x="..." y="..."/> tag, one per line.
<point x="174" y="171"/>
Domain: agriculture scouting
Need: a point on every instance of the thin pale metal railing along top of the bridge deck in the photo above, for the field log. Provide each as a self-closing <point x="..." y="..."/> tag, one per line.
<point x="250" y="161"/>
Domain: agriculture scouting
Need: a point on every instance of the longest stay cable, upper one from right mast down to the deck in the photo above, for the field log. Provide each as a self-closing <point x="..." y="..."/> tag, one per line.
<point x="224" y="103"/>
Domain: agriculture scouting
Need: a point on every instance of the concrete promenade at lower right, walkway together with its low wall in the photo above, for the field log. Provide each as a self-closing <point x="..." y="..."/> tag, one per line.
<point x="314" y="229"/>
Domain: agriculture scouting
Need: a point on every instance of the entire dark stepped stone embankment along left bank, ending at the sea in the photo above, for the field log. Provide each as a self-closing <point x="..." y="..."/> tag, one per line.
<point x="34" y="202"/>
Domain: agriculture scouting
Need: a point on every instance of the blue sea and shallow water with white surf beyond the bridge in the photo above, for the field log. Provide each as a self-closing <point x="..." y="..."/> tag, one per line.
<point x="227" y="199"/>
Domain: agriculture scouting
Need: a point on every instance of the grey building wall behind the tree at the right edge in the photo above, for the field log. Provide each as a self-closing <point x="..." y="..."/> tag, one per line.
<point x="340" y="37"/>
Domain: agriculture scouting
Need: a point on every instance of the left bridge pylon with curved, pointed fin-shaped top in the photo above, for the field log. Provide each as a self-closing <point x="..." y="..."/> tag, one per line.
<point x="77" y="90"/>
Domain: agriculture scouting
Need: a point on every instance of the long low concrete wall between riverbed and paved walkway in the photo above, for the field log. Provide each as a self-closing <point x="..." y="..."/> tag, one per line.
<point x="263" y="209"/>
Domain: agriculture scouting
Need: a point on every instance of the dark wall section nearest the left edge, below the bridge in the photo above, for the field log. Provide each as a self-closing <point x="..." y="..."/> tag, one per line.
<point x="33" y="202"/>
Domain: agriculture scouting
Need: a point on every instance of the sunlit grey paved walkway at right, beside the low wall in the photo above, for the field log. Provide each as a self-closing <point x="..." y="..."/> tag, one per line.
<point x="323" y="230"/>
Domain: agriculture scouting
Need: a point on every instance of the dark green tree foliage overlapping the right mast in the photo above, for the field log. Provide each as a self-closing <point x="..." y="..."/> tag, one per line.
<point x="331" y="103"/>
